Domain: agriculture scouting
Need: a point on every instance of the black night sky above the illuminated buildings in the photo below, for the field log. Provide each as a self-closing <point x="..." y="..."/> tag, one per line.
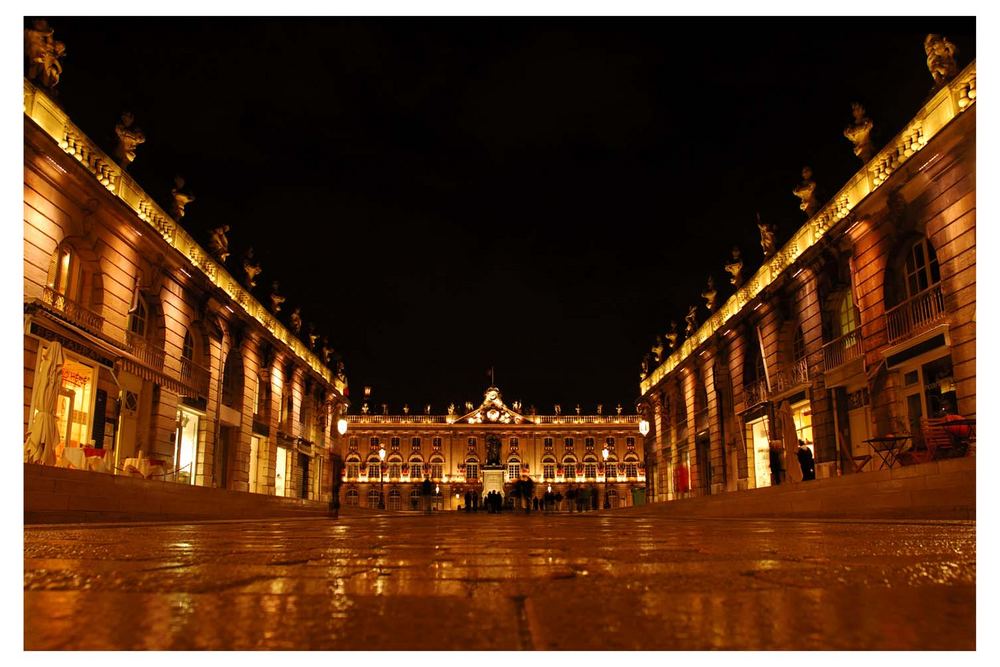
<point x="538" y="195"/>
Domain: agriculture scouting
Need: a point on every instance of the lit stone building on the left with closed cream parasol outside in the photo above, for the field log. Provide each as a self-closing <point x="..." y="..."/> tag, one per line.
<point x="171" y="368"/>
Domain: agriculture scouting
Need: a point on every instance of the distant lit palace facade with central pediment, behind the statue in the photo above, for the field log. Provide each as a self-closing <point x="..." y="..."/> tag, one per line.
<point x="388" y="457"/>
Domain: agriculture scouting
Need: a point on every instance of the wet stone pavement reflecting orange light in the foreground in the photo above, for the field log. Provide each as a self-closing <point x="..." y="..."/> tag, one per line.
<point x="457" y="581"/>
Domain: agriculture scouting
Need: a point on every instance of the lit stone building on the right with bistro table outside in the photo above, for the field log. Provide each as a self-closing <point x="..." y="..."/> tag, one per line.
<point x="862" y="325"/>
